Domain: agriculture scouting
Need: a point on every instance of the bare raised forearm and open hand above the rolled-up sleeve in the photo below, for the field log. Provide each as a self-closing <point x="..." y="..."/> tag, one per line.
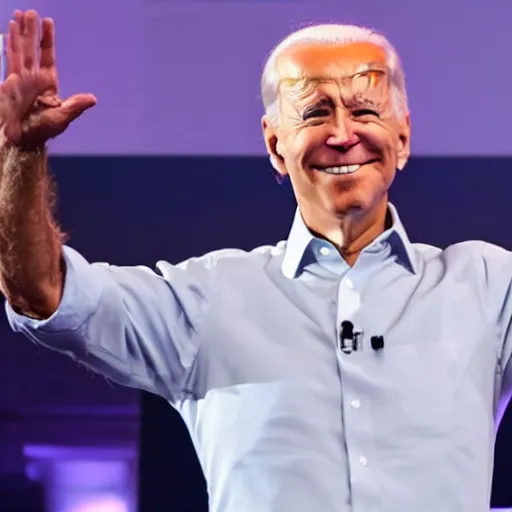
<point x="31" y="113"/>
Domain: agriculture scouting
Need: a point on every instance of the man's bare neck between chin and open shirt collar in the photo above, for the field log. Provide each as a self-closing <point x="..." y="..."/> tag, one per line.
<point x="352" y="231"/>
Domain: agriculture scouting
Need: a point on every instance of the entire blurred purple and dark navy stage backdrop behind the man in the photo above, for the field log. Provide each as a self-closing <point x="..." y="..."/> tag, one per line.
<point x="171" y="164"/>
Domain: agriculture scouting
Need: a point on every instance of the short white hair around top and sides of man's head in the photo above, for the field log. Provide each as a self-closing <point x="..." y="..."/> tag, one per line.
<point x="332" y="34"/>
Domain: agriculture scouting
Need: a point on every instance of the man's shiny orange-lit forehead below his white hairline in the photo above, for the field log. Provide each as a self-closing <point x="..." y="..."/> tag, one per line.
<point x="319" y="60"/>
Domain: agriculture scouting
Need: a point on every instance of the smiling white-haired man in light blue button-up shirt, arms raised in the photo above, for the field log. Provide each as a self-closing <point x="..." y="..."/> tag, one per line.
<point x="345" y="369"/>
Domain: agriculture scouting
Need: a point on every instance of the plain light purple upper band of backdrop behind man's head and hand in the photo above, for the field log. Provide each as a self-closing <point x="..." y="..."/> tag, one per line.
<point x="181" y="77"/>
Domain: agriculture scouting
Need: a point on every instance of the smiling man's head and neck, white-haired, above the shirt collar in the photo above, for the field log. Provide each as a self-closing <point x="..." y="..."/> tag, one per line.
<point x="341" y="132"/>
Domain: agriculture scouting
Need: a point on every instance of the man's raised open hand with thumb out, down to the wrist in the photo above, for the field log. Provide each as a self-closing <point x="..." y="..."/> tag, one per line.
<point x="31" y="111"/>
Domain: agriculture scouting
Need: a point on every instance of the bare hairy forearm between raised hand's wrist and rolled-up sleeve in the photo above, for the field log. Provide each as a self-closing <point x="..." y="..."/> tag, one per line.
<point x="31" y="274"/>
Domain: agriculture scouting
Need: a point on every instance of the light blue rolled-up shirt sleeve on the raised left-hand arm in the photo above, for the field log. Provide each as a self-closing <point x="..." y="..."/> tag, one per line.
<point x="133" y="325"/>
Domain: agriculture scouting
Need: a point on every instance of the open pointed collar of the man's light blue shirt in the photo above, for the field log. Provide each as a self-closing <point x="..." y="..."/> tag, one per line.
<point x="300" y="238"/>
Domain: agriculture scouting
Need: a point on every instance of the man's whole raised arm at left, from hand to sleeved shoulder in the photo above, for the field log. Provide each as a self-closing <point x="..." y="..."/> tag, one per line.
<point x="130" y="324"/>
